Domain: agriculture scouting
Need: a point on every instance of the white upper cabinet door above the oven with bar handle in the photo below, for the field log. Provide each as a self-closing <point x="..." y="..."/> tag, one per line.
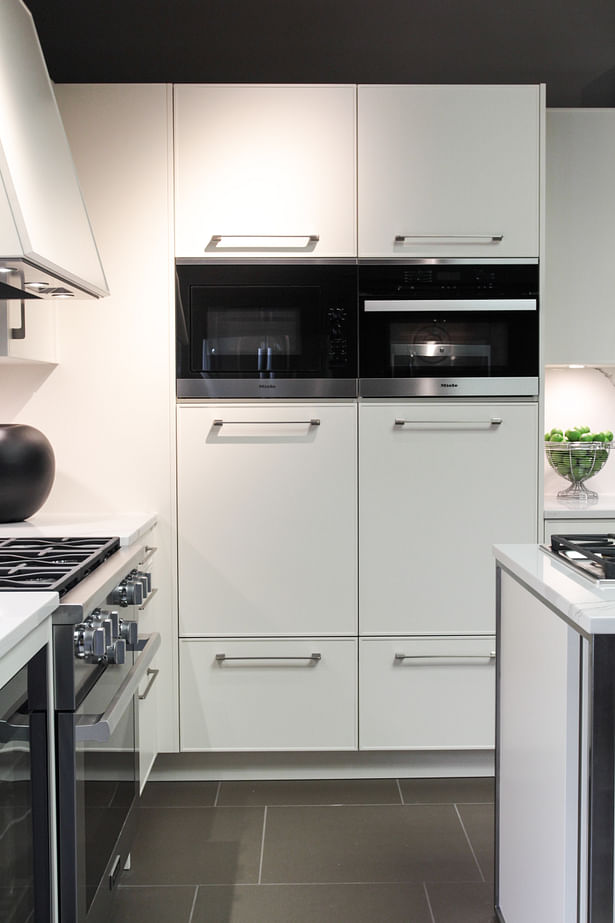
<point x="448" y="171"/>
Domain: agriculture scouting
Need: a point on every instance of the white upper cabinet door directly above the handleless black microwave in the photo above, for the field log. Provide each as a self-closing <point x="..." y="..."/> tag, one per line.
<point x="265" y="171"/>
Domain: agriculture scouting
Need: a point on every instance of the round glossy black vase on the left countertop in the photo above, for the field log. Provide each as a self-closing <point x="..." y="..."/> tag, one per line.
<point x="27" y="469"/>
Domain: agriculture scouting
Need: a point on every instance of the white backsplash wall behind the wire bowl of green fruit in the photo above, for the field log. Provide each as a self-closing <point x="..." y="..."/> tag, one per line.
<point x="581" y="397"/>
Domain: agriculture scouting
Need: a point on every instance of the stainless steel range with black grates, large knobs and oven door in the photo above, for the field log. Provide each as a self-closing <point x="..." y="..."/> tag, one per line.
<point x="99" y="660"/>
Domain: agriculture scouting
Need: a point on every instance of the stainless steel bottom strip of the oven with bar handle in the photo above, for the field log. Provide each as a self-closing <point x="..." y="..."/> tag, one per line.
<point x="448" y="387"/>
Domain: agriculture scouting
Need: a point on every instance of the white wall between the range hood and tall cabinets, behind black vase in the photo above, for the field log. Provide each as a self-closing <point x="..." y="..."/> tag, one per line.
<point x="108" y="406"/>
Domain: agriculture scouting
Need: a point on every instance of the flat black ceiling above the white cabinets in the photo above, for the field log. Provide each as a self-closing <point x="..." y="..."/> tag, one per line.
<point x="567" y="44"/>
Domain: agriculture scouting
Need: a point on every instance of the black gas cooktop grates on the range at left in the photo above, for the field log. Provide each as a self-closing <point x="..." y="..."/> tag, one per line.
<point x="56" y="564"/>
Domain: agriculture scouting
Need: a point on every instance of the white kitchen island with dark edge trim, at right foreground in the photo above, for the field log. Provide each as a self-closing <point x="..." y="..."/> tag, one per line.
<point x="555" y="765"/>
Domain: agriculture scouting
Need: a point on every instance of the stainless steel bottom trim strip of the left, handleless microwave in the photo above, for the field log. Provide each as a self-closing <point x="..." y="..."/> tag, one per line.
<point x="241" y="388"/>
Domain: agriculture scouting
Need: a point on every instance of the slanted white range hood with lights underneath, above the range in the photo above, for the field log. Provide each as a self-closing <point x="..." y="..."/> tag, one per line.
<point x="47" y="248"/>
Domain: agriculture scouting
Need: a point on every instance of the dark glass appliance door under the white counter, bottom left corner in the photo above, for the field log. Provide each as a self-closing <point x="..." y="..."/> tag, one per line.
<point x="24" y="811"/>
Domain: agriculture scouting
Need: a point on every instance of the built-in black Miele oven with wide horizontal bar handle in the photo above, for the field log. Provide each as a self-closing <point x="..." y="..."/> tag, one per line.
<point x="448" y="328"/>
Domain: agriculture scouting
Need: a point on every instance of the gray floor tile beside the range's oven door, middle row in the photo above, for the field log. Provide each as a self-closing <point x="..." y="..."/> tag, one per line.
<point x="190" y="846"/>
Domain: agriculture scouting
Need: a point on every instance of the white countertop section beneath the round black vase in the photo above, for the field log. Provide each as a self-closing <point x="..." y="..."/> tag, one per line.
<point x="128" y="527"/>
